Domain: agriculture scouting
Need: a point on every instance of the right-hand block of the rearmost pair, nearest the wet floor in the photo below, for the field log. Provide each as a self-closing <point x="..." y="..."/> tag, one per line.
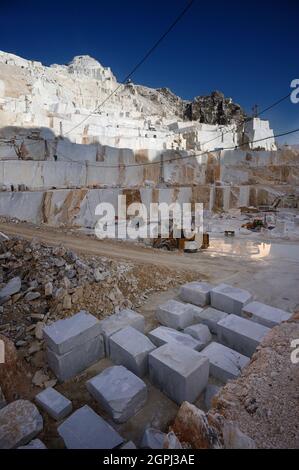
<point x="229" y="299"/>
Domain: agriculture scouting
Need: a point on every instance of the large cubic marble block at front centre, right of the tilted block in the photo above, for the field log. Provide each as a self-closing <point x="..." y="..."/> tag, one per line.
<point x="180" y="372"/>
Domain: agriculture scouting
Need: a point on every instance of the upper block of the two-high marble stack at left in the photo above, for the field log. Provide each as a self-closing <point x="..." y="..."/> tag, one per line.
<point x="65" y="335"/>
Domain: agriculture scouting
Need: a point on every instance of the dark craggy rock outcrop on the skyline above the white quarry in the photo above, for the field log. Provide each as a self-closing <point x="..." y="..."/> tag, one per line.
<point x="214" y="109"/>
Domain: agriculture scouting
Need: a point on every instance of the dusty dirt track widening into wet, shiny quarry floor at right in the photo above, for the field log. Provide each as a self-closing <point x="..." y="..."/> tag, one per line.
<point x="270" y="269"/>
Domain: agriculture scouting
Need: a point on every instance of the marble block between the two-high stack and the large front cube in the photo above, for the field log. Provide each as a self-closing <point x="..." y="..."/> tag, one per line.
<point x="130" y="348"/>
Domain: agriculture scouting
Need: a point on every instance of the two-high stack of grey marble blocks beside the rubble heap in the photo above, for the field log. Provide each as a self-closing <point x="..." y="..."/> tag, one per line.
<point x="73" y="344"/>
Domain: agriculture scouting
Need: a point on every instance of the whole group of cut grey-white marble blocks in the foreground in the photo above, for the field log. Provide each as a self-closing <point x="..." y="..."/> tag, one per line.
<point x="210" y="331"/>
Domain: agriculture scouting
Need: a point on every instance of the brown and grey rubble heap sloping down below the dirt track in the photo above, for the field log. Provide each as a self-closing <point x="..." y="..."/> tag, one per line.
<point x="40" y="284"/>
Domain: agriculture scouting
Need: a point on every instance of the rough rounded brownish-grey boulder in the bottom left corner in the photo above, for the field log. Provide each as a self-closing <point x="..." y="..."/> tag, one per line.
<point x="20" y="422"/>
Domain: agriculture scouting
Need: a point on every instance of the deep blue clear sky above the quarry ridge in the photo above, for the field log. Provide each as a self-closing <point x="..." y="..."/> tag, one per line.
<point x="249" y="51"/>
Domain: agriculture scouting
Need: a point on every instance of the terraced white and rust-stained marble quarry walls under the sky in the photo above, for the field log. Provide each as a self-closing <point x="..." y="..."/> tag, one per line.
<point x="62" y="151"/>
